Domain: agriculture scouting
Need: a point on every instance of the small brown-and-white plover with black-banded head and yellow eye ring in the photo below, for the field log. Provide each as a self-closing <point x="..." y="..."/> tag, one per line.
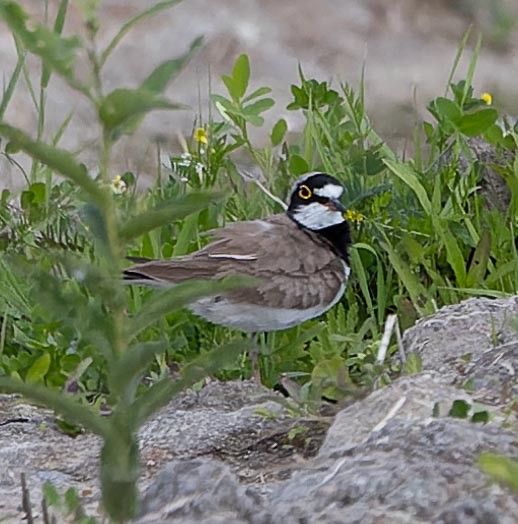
<point x="300" y="260"/>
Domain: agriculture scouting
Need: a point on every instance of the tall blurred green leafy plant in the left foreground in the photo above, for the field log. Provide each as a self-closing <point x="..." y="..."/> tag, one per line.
<point x="87" y="295"/>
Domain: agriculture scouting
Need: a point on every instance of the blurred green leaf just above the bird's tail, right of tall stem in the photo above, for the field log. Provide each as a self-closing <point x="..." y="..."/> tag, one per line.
<point x="167" y="212"/>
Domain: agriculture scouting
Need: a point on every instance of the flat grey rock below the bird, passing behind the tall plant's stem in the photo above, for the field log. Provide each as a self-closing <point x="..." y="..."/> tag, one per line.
<point x="238" y="422"/>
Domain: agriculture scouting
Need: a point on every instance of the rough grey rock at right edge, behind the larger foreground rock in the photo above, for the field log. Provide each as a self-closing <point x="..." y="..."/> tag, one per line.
<point x="472" y="344"/>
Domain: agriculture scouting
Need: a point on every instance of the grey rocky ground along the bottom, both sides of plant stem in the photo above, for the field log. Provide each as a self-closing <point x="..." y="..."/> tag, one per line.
<point x="394" y="456"/>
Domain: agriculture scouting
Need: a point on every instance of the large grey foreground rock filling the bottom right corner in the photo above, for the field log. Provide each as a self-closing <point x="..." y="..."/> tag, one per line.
<point x="407" y="472"/>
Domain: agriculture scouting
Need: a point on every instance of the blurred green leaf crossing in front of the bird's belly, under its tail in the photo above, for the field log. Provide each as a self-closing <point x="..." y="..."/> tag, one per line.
<point x="181" y="295"/>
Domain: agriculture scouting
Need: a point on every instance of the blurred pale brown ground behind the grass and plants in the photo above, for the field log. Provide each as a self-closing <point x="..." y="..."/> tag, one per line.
<point x="408" y="48"/>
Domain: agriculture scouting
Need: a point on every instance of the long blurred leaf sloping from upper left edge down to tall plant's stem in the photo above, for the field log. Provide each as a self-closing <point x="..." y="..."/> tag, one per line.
<point x="60" y="160"/>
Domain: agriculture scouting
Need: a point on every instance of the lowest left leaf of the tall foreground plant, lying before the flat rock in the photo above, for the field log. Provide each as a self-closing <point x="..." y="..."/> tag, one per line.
<point x="70" y="408"/>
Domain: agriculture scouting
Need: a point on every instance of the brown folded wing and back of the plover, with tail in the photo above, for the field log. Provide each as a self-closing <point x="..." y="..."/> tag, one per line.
<point x="296" y="267"/>
